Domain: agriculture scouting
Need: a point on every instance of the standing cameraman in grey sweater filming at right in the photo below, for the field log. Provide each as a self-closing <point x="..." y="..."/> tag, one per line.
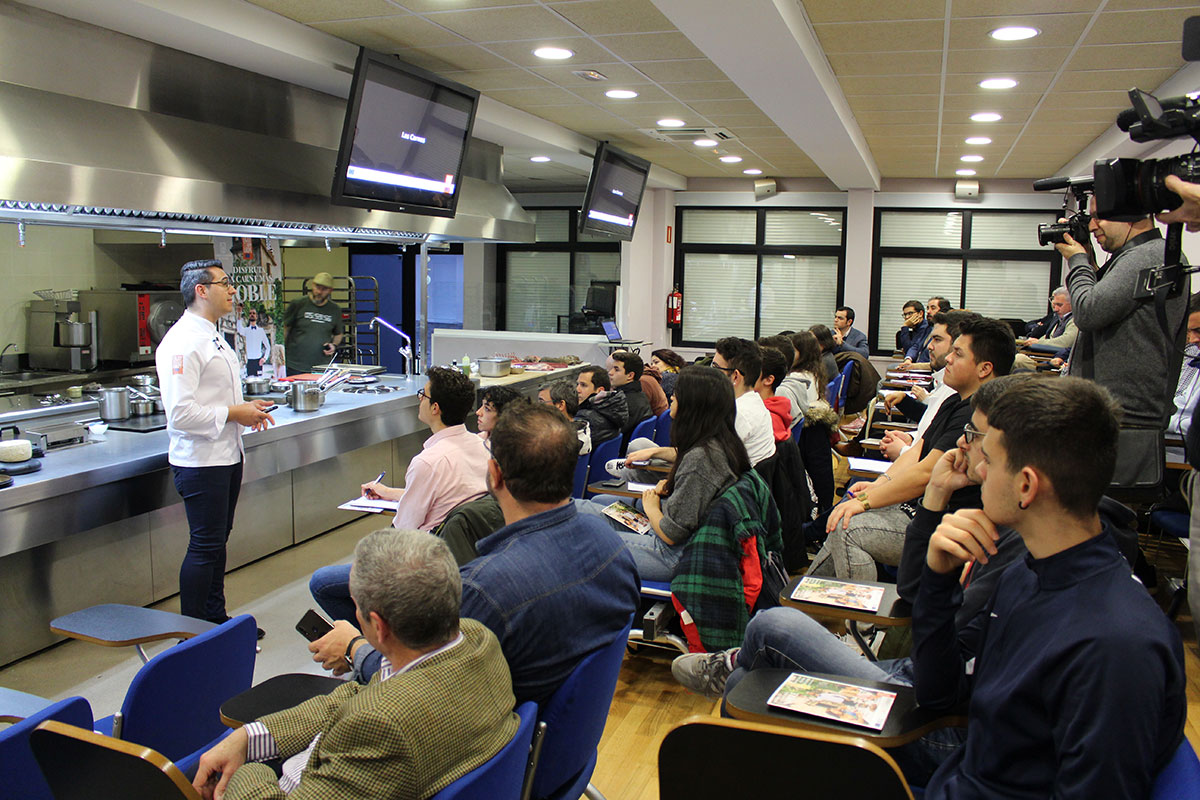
<point x="1120" y="344"/>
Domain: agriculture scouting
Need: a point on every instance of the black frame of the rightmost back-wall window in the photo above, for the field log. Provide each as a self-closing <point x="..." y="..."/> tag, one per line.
<point x="963" y="254"/>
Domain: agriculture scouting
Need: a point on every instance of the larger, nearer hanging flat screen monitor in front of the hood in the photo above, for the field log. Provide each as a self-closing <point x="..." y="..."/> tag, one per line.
<point x="404" y="140"/>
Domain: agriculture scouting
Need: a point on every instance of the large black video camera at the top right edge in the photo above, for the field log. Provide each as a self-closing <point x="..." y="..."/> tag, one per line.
<point x="1127" y="189"/>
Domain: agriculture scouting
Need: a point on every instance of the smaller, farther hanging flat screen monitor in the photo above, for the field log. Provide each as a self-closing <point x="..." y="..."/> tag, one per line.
<point x="615" y="194"/>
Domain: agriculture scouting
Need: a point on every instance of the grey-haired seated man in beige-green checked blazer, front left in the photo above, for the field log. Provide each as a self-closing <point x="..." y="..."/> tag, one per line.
<point x="440" y="706"/>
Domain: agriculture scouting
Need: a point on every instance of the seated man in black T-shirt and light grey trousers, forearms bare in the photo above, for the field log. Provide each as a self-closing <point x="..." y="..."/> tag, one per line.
<point x="868" y="526"/>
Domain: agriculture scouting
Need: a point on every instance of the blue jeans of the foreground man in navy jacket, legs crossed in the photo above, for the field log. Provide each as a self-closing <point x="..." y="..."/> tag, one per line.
<point x="791" y="640"/>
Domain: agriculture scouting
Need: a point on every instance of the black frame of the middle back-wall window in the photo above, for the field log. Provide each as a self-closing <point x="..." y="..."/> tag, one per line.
<point x="759" y="250"/>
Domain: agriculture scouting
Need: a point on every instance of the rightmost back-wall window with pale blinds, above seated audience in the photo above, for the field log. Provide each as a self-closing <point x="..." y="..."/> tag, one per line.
<point x="989" y="262"/>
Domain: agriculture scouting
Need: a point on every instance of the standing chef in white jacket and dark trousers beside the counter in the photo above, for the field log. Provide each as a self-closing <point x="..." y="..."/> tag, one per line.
<point x="201" y="384"/>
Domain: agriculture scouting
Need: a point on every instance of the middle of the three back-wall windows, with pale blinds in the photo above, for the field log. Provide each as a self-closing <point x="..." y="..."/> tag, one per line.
<point x="753" y="273"/>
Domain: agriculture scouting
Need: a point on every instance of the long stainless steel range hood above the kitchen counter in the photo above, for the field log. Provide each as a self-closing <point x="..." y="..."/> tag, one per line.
<point x="107" y="131"/>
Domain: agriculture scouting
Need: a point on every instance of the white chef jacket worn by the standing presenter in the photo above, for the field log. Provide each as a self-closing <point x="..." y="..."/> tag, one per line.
<point x="200" y="380"/>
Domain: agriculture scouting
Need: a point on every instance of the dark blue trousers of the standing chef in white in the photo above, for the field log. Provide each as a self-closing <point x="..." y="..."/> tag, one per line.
<point x="211" y="496"/>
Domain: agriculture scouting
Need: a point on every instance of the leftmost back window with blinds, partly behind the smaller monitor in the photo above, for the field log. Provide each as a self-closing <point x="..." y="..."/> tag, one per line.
<point x="547" y="284"/>
